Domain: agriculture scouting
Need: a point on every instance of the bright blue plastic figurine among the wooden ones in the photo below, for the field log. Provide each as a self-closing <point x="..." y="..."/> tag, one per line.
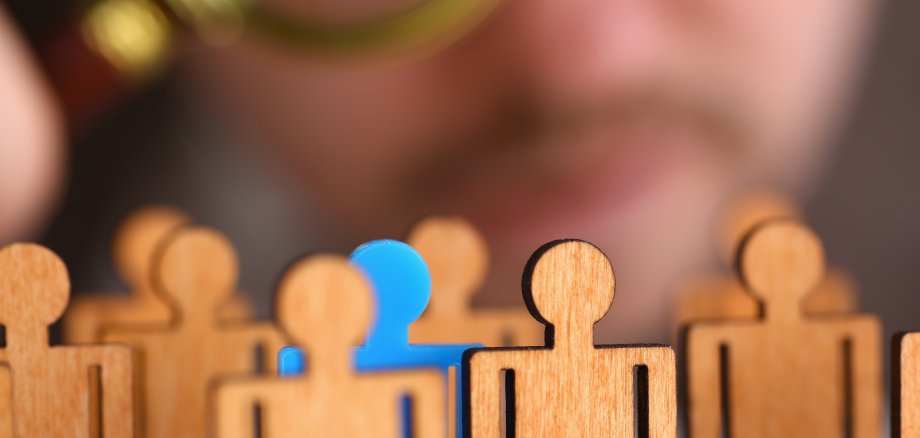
<point x="402" y="287"/>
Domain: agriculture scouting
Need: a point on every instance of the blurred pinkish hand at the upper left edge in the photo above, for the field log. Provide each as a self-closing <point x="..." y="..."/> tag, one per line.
<point x="31" y="140"/>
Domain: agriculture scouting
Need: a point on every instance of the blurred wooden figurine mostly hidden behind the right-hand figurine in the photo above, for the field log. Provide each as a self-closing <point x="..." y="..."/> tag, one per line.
<point x="717" y="296"/>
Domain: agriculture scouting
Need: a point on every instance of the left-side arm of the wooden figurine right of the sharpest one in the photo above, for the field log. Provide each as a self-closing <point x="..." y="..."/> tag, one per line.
<point x="704" y="372"/>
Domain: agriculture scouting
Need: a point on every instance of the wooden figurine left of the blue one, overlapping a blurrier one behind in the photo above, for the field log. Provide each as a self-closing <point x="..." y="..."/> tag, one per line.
<point x="196" y="271"/>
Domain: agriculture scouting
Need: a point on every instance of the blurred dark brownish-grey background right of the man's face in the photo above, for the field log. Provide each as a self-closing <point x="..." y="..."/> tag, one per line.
<point x="868" y="207"/>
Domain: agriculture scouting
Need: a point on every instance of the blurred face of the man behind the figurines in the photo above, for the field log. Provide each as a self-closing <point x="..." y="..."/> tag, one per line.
<point x="623" y="122"/>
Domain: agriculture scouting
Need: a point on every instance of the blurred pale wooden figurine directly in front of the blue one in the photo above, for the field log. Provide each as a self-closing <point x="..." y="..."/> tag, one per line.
<point x="324" y="305"/>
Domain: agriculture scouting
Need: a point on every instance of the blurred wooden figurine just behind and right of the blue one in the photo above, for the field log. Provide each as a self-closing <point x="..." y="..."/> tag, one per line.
<point x="457" y="256"/>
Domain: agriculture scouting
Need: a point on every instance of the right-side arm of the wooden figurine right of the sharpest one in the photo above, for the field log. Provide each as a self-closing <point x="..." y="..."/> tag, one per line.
<point x="865" y="355"/>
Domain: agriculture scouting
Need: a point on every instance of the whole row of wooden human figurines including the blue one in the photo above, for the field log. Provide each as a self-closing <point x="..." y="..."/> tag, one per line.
<point x="781" y="374"/>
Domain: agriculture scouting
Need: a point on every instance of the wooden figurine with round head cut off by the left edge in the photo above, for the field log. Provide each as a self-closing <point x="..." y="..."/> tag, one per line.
<point x="59" y="391"/>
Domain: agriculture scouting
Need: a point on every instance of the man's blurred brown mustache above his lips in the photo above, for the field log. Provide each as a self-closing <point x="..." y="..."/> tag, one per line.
<point x="524" y="127"/>
